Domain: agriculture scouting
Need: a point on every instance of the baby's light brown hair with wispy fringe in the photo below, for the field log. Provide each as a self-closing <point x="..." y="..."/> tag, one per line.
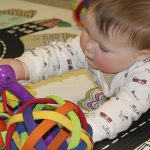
<point x="131" y="17"/>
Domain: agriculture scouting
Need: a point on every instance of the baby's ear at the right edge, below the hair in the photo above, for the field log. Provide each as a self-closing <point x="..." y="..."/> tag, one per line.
<point x="143" y="54"/>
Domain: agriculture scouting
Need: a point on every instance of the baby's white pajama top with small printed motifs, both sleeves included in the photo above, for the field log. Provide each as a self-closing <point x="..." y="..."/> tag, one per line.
<point x="129" y="91"/>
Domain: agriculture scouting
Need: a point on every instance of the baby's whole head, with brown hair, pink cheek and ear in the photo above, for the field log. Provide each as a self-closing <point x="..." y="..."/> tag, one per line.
<point x="117" y="34"/>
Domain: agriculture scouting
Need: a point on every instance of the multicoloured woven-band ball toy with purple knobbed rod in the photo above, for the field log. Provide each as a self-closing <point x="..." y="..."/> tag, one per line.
<point x="40" y="123"/>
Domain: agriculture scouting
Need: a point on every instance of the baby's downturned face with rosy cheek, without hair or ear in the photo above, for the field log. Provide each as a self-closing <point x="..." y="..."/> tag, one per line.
<point x="110" y="55"/>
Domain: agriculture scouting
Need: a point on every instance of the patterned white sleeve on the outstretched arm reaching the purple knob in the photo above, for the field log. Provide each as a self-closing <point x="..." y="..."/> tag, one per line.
<point x="54" y="59"/>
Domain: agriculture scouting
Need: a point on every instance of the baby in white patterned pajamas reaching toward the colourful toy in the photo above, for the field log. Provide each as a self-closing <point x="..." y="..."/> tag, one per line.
<point x="115" y="48"/>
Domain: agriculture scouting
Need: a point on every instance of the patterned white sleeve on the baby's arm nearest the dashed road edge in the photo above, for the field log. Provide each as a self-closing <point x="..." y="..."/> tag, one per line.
<point x="130" y="102"/>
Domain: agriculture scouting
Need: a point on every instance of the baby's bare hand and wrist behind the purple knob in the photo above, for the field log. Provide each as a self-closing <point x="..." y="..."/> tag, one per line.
<point x="18" y="66"/>
